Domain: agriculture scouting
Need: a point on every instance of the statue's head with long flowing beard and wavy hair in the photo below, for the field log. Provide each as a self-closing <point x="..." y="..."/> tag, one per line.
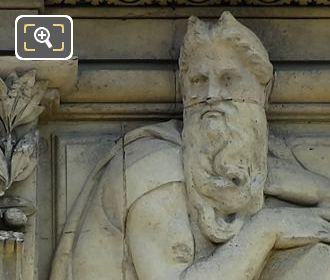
<point x="225" y="77"/>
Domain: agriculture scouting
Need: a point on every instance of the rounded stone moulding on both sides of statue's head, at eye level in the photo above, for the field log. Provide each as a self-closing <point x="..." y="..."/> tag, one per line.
<point x="305" y="84"/>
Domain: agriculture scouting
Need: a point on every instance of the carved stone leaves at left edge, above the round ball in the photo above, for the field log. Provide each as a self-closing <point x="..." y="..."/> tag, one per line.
<point x="19" y="110"/>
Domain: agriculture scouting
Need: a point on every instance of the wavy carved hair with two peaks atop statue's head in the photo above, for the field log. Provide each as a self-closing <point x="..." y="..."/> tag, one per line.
<point x="230" y="31"/>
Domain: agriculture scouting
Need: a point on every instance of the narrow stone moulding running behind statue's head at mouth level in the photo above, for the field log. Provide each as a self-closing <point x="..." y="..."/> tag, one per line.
<point x="164" y="111"/>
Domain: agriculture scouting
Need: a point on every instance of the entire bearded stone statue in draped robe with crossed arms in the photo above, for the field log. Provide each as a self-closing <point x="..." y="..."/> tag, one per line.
<point x="167" y="207"/>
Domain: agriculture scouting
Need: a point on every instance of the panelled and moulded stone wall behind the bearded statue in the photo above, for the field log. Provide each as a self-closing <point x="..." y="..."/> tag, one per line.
<point x="125" y="75"/>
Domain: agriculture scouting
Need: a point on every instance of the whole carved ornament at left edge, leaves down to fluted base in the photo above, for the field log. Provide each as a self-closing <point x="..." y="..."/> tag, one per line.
<point x="20" y="98"/>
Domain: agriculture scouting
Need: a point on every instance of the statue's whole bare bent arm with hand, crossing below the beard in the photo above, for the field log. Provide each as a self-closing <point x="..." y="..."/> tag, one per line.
<point x="161" y="244"/>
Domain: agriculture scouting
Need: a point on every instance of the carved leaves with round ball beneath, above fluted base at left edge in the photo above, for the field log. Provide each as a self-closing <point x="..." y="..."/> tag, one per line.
<point x="20" y="98"/>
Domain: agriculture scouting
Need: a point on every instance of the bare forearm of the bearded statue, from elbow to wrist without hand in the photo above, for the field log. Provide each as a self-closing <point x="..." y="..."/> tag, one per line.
<point x="239" y="259"/>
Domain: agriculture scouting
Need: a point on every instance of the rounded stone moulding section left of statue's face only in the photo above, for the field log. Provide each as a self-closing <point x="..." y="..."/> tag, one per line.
<point x="123" y="86"/>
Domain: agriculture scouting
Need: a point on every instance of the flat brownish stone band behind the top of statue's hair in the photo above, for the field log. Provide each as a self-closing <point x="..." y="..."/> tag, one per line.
<point x="285" y="39"/>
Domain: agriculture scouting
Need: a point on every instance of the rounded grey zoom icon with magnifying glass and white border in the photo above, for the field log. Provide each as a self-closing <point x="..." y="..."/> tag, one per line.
<point x="43" y="37"/>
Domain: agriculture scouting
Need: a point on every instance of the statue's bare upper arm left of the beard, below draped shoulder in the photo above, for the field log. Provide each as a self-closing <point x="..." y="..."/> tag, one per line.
<point x="158" y="234"/>
